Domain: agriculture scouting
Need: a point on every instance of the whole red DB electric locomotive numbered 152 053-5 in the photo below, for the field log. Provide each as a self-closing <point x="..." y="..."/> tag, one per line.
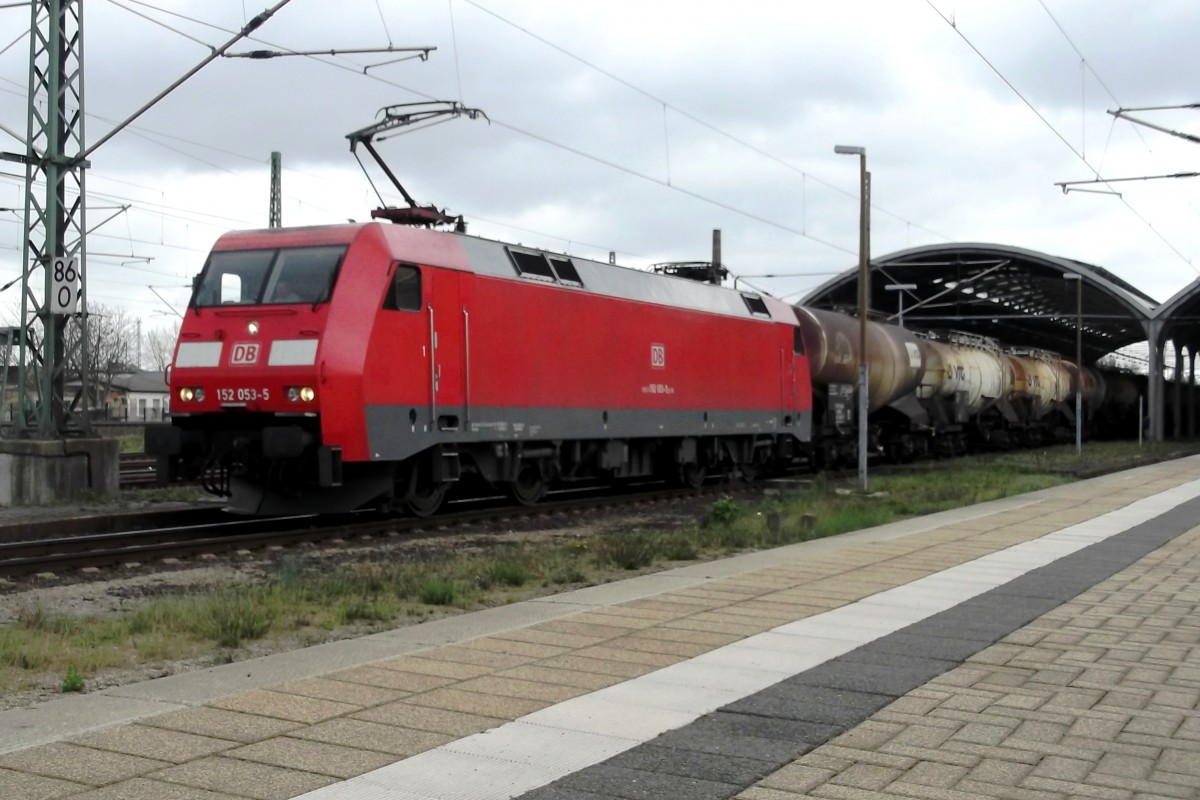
<point x="323" y="370"/>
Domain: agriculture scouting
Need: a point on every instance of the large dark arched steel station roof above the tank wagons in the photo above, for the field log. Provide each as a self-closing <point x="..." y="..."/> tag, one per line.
<point x="1015" y="296"/>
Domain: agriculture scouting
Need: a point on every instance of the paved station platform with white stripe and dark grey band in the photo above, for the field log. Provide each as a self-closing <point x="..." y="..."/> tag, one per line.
<point x="1046" y="646"/>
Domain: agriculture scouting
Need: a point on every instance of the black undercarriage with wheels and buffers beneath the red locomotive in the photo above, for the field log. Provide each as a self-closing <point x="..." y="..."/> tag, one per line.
<point x="263" y="465"/>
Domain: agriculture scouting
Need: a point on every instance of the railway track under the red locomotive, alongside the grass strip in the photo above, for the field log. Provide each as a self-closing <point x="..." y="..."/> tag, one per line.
<point x="208" y="538"/>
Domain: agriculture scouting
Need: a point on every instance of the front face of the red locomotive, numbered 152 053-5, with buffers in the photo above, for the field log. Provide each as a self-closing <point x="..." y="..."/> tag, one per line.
<point x="248" y="356"/>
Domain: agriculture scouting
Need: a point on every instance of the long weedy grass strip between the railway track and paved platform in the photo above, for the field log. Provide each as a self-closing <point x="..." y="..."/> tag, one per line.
<point x="307" y="601"/>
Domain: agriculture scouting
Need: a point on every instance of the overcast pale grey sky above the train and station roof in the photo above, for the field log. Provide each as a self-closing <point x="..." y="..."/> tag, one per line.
<point x="639" y="128"/>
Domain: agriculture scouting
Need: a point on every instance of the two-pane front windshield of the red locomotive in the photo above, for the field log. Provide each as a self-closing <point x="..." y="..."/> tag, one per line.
<point x="253" y="278"/>
